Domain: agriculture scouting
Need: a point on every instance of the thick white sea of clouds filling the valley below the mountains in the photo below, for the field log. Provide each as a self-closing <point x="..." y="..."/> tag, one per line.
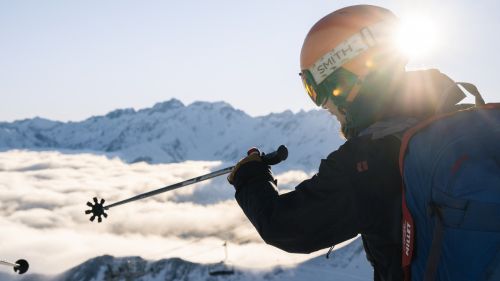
<point x="43" y="197"/>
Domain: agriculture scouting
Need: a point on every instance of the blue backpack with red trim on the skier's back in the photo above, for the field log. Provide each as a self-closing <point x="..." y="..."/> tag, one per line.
<point x="450" y="165"/>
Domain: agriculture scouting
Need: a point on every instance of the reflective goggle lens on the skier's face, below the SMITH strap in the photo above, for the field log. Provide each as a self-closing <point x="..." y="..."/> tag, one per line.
<point x="341" y="86"/>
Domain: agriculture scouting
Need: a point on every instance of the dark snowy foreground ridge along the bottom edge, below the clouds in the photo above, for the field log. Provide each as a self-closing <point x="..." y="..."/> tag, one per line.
<point x="346" y="264"/>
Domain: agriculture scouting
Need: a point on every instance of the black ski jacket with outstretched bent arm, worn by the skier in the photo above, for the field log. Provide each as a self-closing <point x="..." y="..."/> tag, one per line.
<point x="357" y="190"/>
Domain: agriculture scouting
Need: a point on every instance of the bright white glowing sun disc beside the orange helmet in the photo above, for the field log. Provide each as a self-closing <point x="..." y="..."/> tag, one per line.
<point x="417" y="36"/>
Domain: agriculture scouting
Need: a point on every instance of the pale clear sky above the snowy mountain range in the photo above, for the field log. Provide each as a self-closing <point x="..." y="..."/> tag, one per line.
<point x="69" y="60"/>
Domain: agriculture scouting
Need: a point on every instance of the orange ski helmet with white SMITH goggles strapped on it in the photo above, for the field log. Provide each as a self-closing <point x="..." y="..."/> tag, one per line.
<point x="345" y="46"/>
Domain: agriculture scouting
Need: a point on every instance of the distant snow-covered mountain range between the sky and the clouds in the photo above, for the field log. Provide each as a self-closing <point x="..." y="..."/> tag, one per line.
<point x="173" y="132"/>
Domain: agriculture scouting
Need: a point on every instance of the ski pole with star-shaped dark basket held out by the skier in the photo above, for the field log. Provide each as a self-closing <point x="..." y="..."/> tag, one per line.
<point x="98" y="209"/>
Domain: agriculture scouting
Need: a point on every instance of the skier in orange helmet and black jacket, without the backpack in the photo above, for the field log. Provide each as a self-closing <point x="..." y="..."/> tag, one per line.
<point x="351" y="67"/>
